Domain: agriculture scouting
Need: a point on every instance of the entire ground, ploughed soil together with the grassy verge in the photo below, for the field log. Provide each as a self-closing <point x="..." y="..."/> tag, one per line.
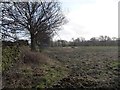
<point x="62" y="67"/>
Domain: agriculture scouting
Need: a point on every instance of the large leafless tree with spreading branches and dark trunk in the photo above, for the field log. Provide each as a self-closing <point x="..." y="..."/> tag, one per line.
<point x="39" y="20"/>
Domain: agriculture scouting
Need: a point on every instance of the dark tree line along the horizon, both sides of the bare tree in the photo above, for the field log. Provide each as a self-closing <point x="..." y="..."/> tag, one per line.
<point x="94" y="41"/>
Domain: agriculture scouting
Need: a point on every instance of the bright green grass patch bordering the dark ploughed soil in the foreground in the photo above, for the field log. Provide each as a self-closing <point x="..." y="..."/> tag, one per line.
<point x="51" y="76"/>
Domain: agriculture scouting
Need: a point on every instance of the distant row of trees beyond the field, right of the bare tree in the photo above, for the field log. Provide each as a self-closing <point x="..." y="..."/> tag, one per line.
<point x="94" y="41"/>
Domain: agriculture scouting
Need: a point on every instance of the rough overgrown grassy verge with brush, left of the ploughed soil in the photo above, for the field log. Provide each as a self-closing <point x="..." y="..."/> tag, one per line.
<point x="17" y="73"/>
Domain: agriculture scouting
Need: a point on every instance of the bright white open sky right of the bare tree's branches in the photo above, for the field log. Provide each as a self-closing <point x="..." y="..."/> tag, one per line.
<point x="89" y="18"/>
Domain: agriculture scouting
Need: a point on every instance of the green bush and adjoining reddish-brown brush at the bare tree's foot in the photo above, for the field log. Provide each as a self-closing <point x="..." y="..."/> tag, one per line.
<point x="15" y="55"/>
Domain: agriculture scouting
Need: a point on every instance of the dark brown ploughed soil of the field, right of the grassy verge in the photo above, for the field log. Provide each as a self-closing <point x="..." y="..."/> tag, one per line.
<point x="90" y="66"/>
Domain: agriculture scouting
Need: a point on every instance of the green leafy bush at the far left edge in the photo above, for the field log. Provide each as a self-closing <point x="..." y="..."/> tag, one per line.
<point x="9" y="57"/>
